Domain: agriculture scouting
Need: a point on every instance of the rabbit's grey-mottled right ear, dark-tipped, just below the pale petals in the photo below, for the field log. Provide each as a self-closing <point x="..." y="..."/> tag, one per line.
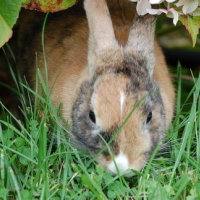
<point x="141" y="39"/>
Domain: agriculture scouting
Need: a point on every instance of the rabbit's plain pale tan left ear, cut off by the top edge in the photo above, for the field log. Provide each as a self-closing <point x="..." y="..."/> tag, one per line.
<point x="101" y="33"/>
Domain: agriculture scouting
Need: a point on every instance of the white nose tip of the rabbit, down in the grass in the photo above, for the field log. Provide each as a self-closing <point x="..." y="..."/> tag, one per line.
<point x="122" y="163"/>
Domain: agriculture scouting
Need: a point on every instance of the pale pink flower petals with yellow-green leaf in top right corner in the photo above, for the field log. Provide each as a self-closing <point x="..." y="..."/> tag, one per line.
<point x="187" y="11"/>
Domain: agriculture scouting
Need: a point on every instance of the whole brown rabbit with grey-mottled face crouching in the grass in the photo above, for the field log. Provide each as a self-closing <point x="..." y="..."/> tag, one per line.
<point x="105" y="59"/>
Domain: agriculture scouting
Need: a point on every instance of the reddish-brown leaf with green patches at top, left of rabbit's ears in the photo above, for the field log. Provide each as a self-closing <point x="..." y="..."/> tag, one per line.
<point x="46" y="5"/>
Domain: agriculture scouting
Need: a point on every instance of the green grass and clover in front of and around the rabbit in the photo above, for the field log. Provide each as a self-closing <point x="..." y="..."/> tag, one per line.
<point x="37" y="160"/>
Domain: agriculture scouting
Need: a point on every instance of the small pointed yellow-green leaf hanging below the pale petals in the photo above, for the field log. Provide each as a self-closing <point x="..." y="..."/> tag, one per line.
<point x="192" y="24"/>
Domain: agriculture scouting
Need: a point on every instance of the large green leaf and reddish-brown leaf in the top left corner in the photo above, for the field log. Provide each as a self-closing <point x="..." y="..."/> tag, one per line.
<point x="9" y="12"/>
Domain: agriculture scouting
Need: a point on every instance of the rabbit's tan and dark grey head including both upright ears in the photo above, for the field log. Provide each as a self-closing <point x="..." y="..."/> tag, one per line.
<point x="119" y="103"/>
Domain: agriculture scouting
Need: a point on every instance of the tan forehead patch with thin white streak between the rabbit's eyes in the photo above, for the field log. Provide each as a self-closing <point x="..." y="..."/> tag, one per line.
<point x="113" y="100"/>
